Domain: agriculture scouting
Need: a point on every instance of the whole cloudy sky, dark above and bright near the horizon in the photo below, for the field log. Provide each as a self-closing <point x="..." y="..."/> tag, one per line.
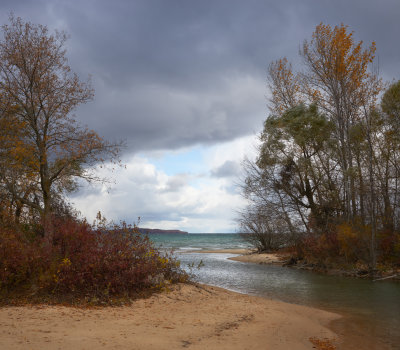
<point x="183" y="83"/>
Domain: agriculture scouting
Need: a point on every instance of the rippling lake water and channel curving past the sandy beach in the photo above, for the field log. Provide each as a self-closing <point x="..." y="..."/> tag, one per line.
<point x="375" y="305"/>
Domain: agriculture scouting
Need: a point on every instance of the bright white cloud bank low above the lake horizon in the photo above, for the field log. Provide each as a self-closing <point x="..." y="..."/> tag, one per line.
<point x="187" y="201"/>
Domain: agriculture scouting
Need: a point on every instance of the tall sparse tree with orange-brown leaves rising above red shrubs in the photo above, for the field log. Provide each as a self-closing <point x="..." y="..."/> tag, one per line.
<point x="39" y="91"/>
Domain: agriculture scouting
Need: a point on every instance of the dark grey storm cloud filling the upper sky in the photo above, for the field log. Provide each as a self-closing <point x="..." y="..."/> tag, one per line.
<point x="174" y="73"/>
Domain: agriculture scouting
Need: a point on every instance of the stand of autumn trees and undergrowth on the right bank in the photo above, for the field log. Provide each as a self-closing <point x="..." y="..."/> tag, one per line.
<point x="326" y="179"/>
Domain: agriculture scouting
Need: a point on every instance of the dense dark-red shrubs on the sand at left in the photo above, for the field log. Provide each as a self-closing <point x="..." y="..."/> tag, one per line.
<point x="81" y="263"/>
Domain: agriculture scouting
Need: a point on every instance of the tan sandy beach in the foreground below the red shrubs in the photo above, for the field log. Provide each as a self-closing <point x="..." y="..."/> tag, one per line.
<point x="190" y="316"/>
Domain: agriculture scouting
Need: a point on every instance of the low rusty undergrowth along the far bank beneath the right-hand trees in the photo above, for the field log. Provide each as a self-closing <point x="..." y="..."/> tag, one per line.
<point x="342" y="246"/>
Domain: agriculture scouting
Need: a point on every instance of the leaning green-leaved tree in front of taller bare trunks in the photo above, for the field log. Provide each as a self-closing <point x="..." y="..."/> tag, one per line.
<point x="297" y="145"/>
